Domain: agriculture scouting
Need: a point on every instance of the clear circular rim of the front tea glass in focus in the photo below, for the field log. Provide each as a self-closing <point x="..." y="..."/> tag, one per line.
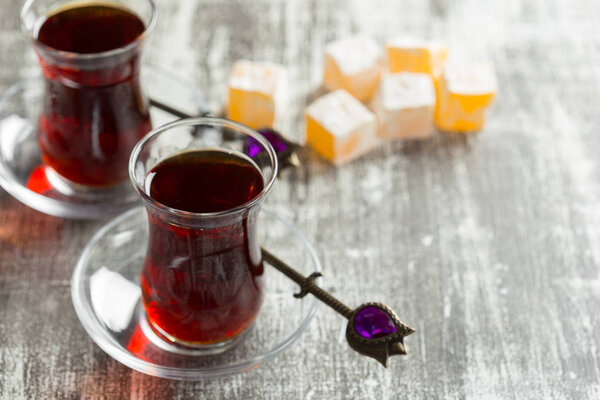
<point x="135" y="153"/>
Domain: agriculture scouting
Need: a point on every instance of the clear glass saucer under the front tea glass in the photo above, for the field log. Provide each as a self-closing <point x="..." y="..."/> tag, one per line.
<point x="106" y="296"/>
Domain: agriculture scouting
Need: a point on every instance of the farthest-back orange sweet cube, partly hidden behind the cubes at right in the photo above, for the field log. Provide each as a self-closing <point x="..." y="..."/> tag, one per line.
<point x="414" y="55"/>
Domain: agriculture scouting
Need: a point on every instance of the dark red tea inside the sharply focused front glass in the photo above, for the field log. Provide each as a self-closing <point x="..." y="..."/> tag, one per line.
<point x="202" y="282"/>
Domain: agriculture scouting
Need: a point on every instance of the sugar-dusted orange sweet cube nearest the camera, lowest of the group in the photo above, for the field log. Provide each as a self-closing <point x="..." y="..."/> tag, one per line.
<point x="339" y="127"/>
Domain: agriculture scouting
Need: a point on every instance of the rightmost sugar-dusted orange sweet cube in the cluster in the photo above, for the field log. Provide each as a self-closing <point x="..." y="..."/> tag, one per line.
<point x="465" y="91"/>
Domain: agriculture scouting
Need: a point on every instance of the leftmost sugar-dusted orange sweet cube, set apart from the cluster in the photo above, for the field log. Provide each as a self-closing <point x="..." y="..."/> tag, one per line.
<point x="257" y="93"/>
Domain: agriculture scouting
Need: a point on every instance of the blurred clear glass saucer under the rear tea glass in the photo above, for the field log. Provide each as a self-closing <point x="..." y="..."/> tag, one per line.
<point x="22" y="173"/>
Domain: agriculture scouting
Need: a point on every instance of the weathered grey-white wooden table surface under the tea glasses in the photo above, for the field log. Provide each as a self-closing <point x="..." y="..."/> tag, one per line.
<point x="488" y="245"/>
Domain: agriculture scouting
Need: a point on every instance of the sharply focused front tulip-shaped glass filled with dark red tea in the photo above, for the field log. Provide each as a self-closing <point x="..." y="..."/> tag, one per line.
<point x="203" y="181"/>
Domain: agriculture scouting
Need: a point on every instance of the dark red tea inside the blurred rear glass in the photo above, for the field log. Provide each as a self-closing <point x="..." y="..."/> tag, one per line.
<point x="93" y="111"/>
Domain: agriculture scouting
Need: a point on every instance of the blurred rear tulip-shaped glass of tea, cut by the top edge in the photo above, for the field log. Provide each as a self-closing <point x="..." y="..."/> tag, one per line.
<point x="94" y="110"/>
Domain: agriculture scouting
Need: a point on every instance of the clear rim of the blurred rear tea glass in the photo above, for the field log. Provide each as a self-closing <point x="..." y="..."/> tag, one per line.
<point x="71" y="55"/>
